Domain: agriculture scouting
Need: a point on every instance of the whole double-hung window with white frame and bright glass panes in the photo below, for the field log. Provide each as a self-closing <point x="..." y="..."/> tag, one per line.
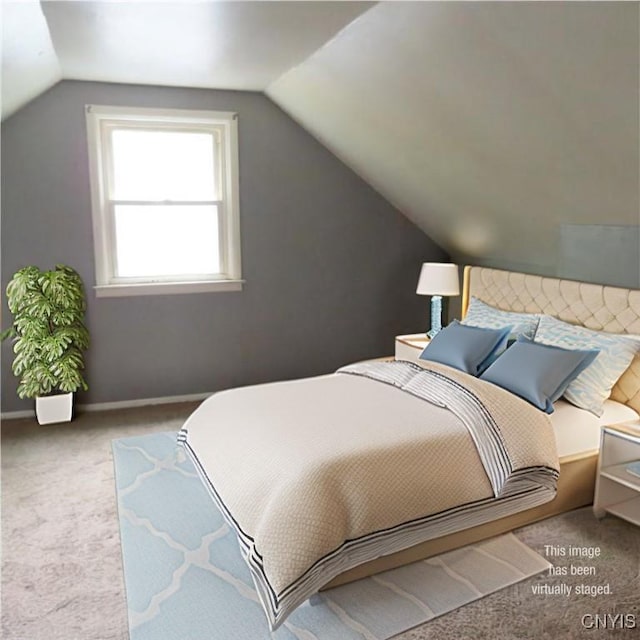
<point x="165" y="200"/>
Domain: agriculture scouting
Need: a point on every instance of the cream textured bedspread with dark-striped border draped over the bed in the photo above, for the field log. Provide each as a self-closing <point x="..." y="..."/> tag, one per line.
<point x="321" y="474"/>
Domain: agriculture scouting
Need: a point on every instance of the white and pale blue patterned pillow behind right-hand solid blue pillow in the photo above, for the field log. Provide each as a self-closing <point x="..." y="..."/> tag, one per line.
<point x="593" y="386"/>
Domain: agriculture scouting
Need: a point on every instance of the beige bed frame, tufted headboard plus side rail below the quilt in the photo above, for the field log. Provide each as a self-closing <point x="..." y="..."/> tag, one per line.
<point x="599" y="307"/>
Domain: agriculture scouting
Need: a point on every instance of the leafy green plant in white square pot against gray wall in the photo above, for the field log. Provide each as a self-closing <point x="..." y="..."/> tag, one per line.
<point x="50" y="338"/>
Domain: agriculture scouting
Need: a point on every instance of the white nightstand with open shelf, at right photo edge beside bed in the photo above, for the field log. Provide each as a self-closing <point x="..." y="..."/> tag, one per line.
<point x="617" y="490"/>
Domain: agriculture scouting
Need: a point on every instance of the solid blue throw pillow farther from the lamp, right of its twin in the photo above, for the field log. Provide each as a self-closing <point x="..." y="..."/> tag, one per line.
<point x="537" y="372"/>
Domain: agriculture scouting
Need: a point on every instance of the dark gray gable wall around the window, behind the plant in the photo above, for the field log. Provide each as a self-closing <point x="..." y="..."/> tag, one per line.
<point x="330" y="266"/>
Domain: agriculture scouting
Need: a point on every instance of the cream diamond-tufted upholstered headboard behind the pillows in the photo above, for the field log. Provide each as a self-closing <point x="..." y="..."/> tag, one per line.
<point x="595" y="306"/>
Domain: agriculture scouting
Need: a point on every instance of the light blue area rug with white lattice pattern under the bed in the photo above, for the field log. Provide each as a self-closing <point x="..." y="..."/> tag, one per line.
<point x="186" y="580"/>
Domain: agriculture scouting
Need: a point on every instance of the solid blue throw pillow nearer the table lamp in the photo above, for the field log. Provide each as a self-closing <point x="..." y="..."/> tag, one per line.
<point x="470" y="349"/>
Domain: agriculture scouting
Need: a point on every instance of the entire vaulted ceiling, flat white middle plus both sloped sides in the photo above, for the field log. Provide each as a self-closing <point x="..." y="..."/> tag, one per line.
<point x="491" y="125"/>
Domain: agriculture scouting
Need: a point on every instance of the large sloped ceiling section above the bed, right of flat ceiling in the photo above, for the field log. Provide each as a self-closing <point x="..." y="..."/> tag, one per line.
<point x="488" y="124"/>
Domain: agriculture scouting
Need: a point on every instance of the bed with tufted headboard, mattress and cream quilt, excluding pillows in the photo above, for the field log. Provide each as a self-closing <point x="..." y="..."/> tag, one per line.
<point x="316" y="503"/>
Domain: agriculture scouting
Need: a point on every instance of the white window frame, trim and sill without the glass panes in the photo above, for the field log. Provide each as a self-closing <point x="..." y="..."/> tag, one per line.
<point x="100" y="120"/>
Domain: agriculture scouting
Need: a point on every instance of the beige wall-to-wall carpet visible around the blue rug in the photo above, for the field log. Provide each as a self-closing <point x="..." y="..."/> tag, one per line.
<point x="62" y="575"/>
